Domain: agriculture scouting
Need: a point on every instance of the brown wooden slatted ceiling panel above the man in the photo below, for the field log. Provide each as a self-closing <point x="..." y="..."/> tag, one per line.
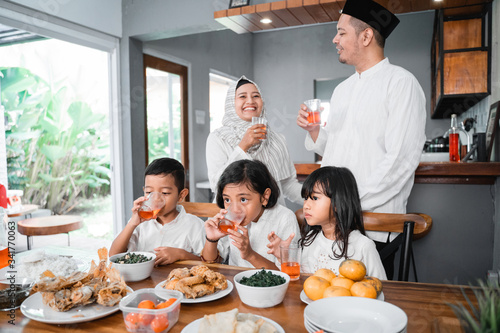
<point x="290" y="13"/>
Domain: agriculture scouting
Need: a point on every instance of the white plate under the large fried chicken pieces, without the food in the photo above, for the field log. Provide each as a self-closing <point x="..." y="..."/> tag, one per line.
<point x="33" y="308"/>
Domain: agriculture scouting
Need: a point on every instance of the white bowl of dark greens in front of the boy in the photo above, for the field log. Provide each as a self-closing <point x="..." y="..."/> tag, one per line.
<point x="134" y="266"/>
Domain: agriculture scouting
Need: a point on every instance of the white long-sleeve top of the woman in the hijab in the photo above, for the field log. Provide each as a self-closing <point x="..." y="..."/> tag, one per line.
<point x="220" y="154"/>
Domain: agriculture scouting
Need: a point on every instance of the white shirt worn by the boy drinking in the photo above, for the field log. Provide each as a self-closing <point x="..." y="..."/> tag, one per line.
<point x="186" y="232"/>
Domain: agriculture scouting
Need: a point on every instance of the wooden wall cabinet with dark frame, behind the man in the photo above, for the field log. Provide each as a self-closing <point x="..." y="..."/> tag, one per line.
<point x="460" y="59"/>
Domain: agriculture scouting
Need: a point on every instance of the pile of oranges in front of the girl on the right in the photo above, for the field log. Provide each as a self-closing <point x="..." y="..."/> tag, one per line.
<point x="352" y="281"/>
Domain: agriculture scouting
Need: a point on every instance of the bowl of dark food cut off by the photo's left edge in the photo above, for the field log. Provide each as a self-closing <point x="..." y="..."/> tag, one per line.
<point x="14" y="291"/>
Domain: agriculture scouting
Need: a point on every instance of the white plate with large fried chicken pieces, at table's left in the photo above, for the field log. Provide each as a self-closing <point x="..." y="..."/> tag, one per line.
<point x="79" y="297"/>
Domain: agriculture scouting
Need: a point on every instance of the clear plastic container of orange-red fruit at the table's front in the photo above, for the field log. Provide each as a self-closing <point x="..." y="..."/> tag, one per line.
<point x="146" y="312"/>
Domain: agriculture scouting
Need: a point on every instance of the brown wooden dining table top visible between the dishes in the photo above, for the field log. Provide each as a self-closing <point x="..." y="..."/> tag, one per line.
<point x="425" y="305"/>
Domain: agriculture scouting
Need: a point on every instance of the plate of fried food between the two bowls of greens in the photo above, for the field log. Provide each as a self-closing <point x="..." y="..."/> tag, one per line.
<point x="198" y="284"/>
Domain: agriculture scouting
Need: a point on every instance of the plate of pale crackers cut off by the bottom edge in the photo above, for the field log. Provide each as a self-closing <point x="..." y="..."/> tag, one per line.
<point x="233" y="321"/>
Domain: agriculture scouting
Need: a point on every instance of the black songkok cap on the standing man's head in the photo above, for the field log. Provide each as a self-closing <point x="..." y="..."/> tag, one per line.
<point x="373" y="14"/>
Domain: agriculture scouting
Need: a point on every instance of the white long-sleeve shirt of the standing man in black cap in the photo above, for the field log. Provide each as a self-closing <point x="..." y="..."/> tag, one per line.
<point x="376" y="128"/>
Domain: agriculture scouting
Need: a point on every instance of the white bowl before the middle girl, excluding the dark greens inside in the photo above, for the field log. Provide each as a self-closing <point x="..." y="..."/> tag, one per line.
<point x="261" y="297"/>
